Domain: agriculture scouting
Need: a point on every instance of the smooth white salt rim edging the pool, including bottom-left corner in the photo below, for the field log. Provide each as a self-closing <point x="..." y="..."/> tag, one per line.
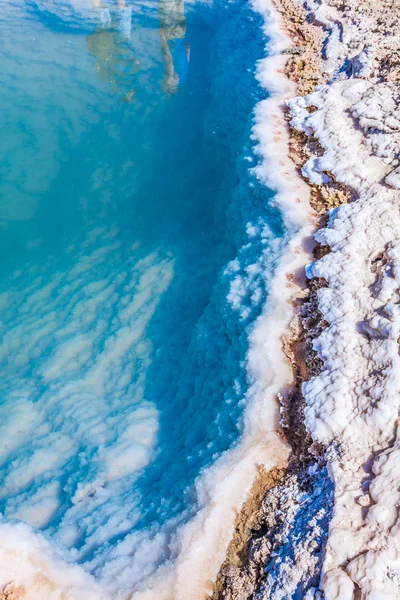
<point x="46" y="571"/>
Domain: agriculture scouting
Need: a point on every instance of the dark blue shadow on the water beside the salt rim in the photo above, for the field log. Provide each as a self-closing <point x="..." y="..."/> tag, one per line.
<point x="197" y="376"/>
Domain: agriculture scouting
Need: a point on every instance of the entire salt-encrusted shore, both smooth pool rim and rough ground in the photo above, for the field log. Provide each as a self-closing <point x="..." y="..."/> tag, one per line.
<point x="326" y="526"/>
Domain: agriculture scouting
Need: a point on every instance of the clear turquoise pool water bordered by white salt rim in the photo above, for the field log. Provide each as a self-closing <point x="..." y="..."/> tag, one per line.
<point x="137" y="249"/>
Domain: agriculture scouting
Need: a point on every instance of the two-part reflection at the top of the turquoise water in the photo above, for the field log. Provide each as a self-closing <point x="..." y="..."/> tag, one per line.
<point x="111" y="45"/>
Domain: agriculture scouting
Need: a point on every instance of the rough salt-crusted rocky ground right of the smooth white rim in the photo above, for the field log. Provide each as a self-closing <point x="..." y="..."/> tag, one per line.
<point x="330" y="528"/>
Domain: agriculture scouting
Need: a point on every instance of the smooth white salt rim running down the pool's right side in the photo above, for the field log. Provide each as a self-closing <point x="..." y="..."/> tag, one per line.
<point x="223" y="488"/>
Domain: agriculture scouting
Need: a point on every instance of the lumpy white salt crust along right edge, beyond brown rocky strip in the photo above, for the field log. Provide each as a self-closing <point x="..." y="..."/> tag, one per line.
<point x="353" y="405"/>
